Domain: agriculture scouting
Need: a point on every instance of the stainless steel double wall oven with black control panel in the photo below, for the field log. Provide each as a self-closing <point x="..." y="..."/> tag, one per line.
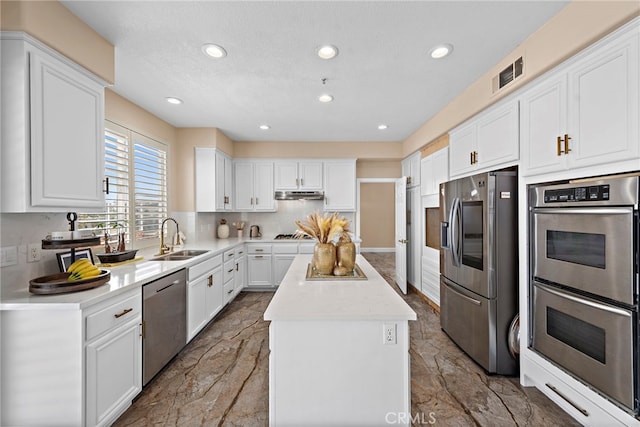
<point x="584" y="281"/>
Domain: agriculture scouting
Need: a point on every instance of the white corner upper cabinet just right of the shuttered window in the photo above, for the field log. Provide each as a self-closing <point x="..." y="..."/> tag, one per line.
<point x="213" y="176"/>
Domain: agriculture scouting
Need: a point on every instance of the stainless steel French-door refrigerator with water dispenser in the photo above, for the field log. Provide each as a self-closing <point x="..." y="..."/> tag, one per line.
<point x="479" y="281"/>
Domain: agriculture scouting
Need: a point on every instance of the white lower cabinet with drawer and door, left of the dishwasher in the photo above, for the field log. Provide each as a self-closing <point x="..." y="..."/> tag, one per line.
<point x="113" y="357"/>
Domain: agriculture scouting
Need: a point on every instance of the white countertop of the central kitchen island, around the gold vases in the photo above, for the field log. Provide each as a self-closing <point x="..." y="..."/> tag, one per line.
<point x="371" y="299"/>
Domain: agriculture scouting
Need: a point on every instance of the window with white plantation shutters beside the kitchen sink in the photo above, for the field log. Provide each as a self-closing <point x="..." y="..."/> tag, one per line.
<point x="141" y="184"/>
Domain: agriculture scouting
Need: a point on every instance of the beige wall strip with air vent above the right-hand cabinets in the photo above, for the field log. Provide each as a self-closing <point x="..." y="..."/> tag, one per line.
<point x="575" y="27"/>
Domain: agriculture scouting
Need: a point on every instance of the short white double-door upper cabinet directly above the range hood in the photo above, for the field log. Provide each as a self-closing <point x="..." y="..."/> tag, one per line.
<point x="298" y="175"/>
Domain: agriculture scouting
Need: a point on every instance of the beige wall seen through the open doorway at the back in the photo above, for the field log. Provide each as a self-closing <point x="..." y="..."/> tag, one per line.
<point x="377" y="215"/>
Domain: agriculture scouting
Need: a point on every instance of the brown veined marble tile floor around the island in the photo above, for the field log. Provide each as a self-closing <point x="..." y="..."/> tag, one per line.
<point x="221" y="378"/>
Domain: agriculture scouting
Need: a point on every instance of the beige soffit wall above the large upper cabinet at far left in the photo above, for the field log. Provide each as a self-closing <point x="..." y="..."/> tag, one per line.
<point x="53" y="24"/>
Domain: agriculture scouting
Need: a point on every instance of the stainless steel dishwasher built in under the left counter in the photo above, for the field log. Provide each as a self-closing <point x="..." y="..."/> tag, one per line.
<point x="164" y="313"/>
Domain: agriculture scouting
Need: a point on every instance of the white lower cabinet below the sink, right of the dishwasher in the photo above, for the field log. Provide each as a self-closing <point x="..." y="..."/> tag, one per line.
<point x="204" y="294"/>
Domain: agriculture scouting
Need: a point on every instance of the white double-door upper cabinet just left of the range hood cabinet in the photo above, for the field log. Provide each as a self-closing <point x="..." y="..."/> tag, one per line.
<point x="254" y="186"/>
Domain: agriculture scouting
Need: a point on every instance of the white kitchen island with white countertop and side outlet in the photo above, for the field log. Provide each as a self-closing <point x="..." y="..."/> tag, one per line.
<point x="339" y="350"/>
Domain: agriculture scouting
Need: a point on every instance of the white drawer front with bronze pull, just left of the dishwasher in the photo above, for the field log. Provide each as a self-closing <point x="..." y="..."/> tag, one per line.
<point x="113" y="315"/>
